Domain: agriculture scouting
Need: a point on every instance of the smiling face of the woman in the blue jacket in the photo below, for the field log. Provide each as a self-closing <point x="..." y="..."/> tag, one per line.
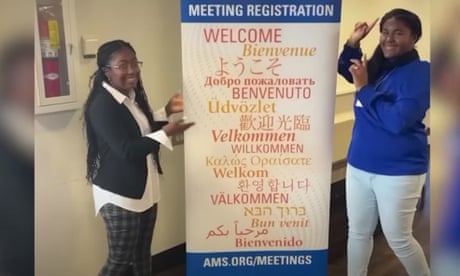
<point x="396" y="38"/>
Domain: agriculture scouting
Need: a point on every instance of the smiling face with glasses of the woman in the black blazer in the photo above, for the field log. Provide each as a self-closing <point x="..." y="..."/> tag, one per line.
<point x="123" y="70"/>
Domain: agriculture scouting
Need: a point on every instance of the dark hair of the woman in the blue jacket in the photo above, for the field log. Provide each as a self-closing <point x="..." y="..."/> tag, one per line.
<point x="408" y="18"/>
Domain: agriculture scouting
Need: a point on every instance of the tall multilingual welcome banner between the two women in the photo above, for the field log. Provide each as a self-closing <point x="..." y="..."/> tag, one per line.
<point x="259" y="80"/>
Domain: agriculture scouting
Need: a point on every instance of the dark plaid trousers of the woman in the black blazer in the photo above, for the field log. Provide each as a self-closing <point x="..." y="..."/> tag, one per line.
<point x="129" y="236"/>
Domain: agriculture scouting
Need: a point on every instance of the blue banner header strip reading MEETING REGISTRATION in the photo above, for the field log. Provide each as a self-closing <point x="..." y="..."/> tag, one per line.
<point x="268" y="11"/>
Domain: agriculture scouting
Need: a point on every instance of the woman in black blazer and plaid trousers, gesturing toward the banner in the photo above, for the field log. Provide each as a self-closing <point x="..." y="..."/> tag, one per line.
<point x="124" y="137"/>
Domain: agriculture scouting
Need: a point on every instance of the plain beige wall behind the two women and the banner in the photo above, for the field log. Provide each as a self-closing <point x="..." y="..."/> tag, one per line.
<point x="70" y="240"/>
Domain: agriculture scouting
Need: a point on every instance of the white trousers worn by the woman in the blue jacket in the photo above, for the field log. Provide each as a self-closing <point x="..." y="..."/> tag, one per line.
<point x="393" y="200"/>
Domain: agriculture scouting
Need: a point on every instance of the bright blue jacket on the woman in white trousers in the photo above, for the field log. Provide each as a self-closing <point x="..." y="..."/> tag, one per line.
<point x="389" y="136"/>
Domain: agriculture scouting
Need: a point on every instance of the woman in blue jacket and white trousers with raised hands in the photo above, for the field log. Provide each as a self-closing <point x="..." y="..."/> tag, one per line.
<point x="388" y="156"/>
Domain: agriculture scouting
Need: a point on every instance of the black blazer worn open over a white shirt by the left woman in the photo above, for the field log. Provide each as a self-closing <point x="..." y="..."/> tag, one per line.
<point x="122" y="148"/>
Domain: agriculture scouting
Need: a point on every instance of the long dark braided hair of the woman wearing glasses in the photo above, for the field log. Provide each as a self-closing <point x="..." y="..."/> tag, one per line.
<point x="104" y="55"/>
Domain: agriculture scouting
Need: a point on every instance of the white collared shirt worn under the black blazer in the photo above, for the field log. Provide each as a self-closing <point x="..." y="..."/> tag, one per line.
<point x="152" y="188"/>
